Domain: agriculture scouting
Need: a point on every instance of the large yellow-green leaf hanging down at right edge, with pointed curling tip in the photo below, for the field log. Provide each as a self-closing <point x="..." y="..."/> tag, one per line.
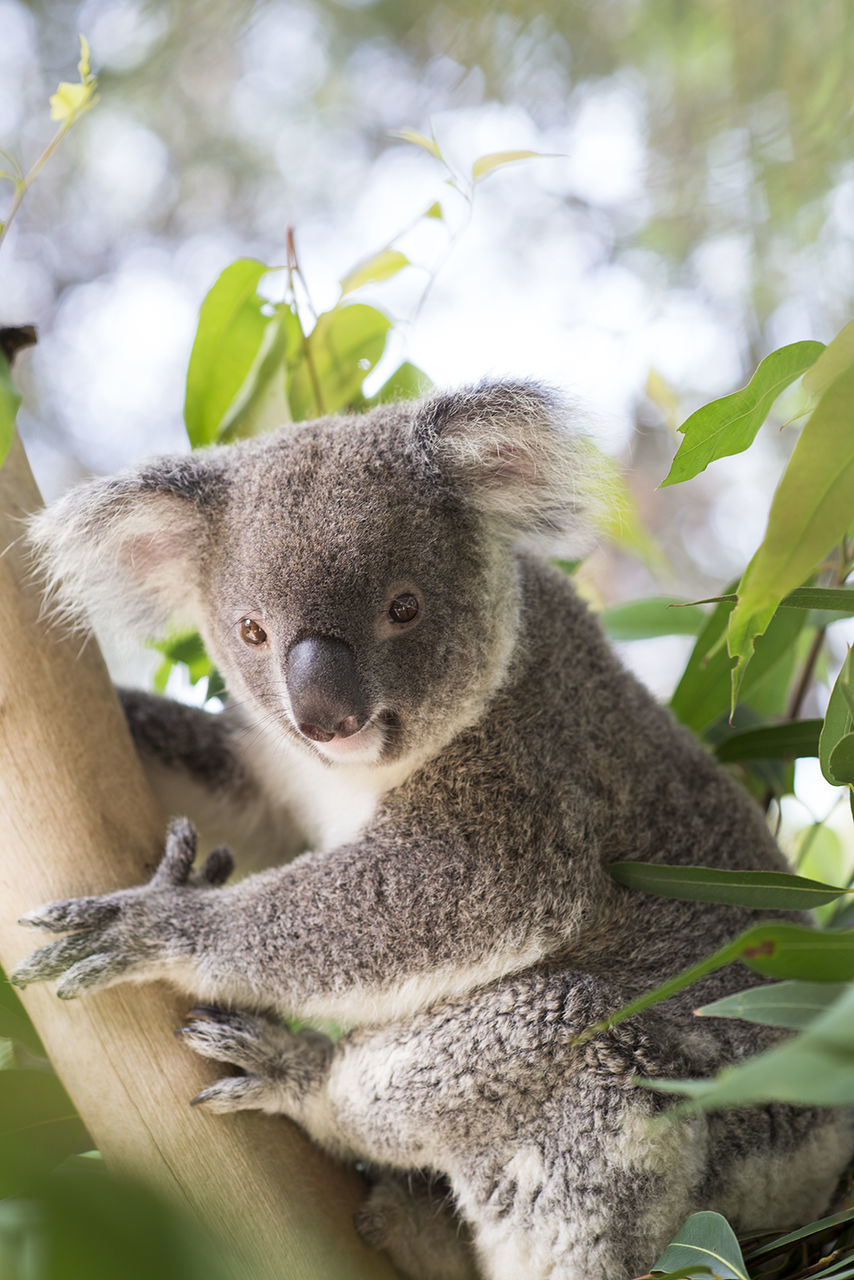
<point x="812" y="509"/>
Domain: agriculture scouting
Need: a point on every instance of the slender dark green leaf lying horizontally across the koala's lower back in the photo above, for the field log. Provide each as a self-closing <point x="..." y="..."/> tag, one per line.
<point x="755" y="890"/>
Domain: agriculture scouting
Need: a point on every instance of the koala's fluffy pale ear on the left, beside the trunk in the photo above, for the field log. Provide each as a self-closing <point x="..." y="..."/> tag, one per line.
<point x="126" y="550"/>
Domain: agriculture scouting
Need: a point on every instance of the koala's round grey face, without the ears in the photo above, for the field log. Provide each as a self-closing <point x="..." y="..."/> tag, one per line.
<point x="355" y="602"/>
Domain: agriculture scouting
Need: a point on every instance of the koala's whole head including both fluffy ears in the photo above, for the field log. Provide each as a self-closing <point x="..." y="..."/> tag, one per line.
<point x="355" y="579"/>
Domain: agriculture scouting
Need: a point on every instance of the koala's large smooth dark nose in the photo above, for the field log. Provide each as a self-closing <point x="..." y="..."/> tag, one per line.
<point x="323" y="685"/>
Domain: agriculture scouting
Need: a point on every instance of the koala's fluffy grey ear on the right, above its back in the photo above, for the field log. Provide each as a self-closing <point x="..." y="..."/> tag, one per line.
<point x="512" y="447"/>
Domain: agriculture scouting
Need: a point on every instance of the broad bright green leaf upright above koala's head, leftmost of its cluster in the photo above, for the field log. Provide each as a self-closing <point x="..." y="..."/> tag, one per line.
<point x="232" y="341"/>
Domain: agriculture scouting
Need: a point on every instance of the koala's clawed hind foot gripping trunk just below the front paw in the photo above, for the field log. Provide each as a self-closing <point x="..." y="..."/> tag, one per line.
<point x="281" y="1067"/>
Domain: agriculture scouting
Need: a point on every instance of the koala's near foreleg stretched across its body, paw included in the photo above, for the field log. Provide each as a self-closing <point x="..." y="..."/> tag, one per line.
<point x="372" y="931"/>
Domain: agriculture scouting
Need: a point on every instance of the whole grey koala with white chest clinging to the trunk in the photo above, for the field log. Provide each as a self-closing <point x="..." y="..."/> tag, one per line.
<point x="432" y="748"/>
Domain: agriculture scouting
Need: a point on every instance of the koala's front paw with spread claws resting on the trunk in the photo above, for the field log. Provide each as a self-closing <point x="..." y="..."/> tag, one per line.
<point x="124" y="932"/>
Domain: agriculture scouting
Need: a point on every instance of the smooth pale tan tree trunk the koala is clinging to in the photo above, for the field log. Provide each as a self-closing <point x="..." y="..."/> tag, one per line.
<point x="77" y="817"/>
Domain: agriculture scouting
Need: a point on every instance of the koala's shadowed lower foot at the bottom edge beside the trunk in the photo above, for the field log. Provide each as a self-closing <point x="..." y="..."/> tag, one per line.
<point x="412" y="1218"/>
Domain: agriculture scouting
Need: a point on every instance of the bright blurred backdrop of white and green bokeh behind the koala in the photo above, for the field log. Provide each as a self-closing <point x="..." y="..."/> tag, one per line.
<point x="693" y="209"/>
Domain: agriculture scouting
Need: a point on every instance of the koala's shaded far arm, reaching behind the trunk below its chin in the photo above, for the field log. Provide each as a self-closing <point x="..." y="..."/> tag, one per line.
<point x="195" y="764"/>
